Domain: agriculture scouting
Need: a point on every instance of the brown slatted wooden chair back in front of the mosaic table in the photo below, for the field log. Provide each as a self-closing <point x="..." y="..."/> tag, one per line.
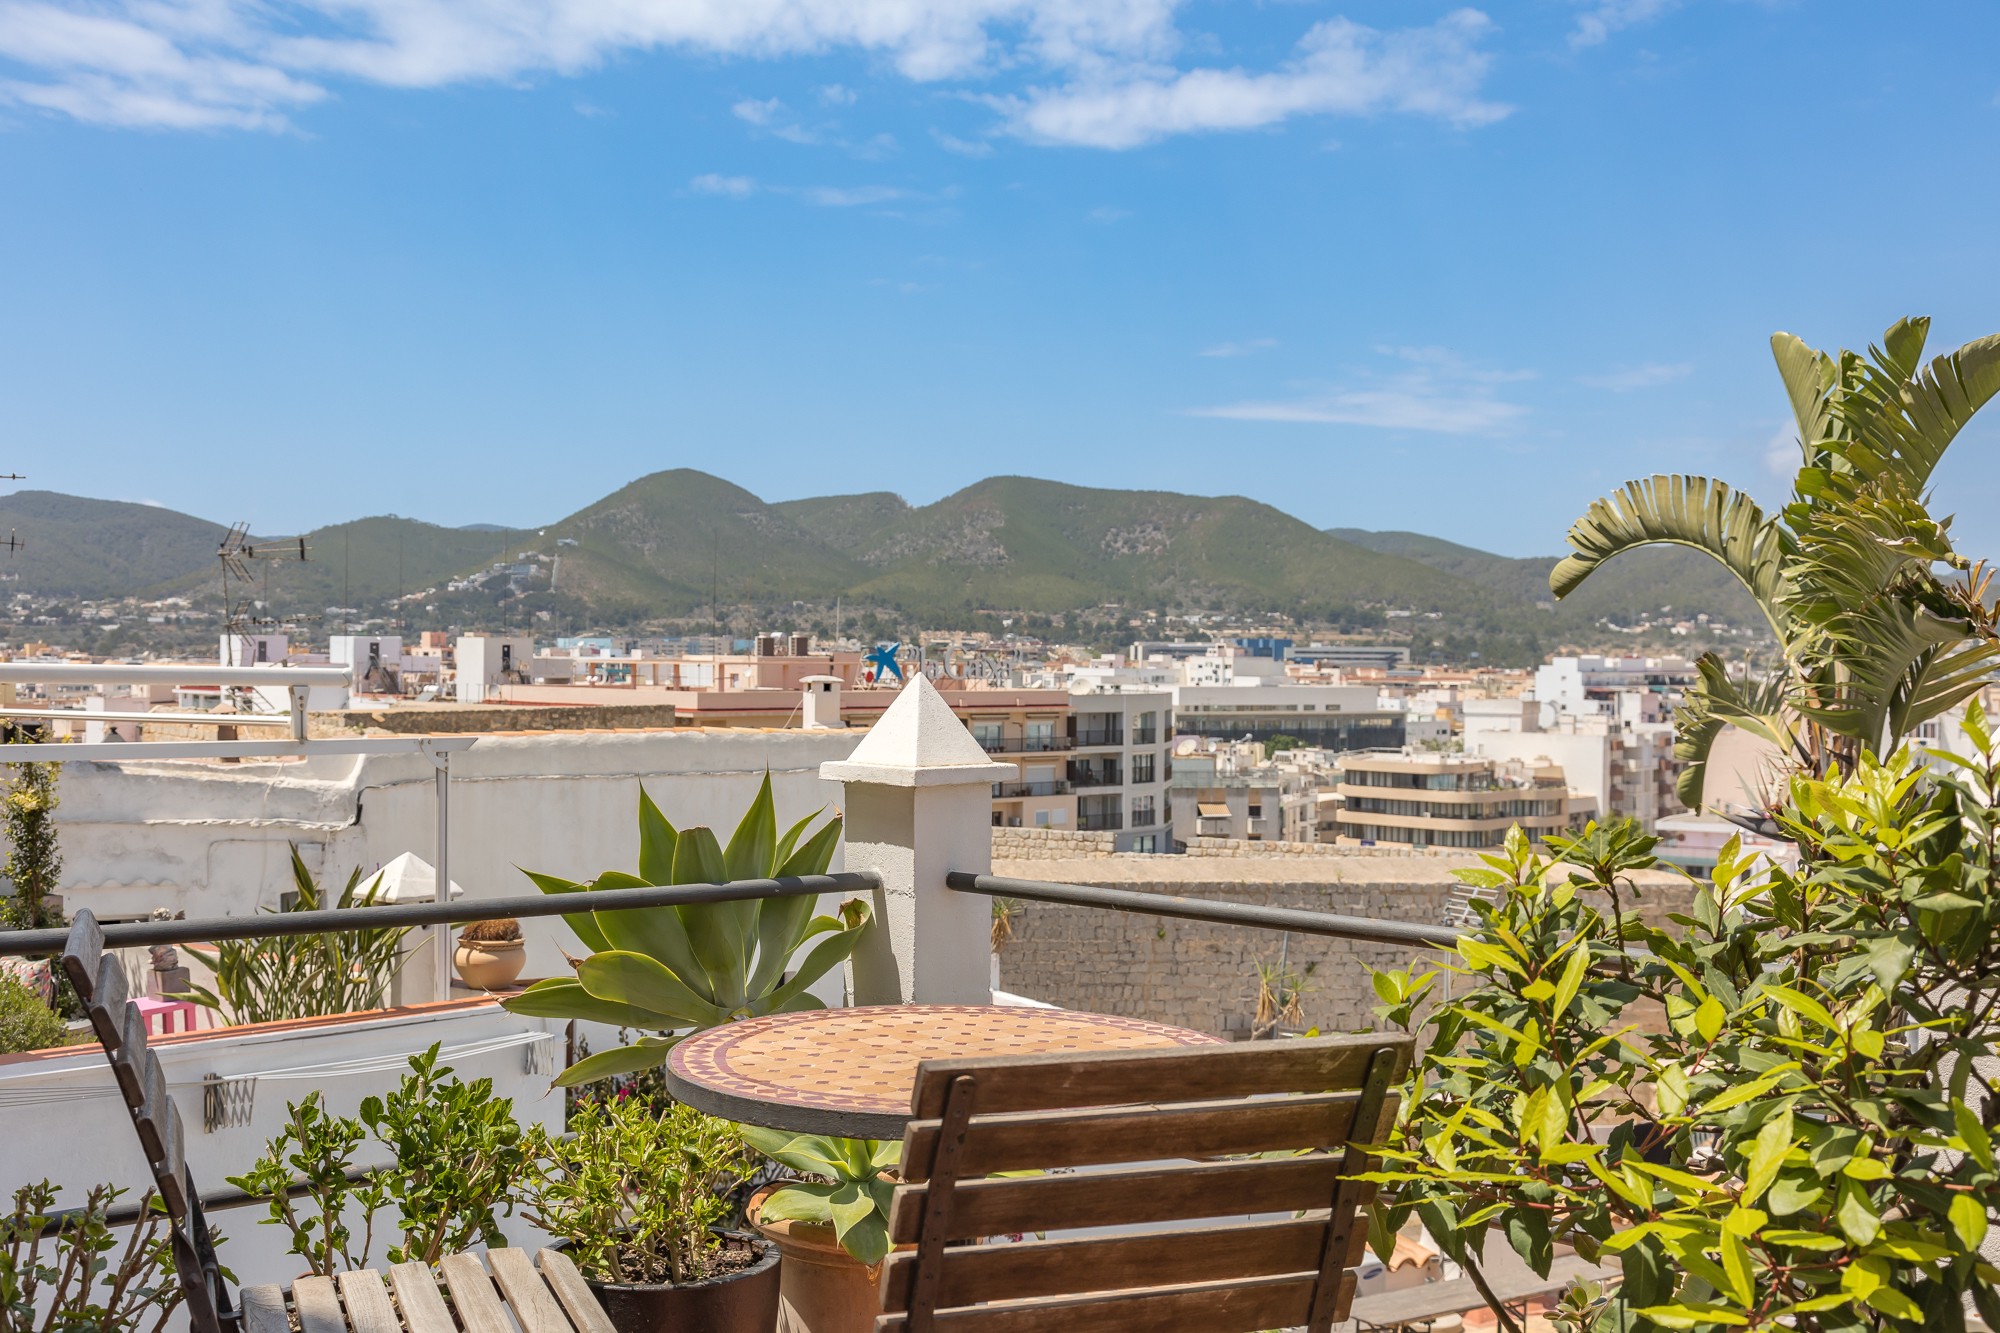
<point x="1271" y="1128"/>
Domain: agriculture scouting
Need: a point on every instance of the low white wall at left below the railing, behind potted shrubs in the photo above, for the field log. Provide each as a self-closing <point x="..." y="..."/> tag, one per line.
<point x="61" y="1116"/>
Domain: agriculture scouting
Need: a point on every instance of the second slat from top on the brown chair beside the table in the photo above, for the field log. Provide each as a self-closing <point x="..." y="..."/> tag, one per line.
<point x="1047" y="1140"/>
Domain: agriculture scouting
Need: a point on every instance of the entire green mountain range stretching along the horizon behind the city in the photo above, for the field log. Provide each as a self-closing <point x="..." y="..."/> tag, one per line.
<point x="673" y="541"/>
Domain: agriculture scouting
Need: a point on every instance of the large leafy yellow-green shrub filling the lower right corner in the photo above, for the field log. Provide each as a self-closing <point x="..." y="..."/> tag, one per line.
<point x="1809" y="1144"/>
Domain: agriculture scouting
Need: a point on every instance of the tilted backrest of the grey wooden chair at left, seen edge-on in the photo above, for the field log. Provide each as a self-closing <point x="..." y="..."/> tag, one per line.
<point x="119" y="1026"/>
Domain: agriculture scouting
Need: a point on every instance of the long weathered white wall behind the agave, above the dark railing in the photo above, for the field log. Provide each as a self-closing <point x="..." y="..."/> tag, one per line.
<point x="213" y="840"/>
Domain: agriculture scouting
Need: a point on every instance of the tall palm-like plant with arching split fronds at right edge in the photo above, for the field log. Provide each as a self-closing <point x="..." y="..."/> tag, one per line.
<point x="1883" y="625"/>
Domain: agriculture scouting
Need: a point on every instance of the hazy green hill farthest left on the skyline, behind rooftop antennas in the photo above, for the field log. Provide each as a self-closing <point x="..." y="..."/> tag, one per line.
<point x="79" y="547"/>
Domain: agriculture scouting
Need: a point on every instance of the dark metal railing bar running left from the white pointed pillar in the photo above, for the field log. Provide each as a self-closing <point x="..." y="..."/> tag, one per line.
<point x="267" y="926"/>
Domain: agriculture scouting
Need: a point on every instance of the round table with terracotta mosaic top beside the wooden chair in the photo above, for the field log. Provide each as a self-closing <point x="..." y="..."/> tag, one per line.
<point x="851" y="1072"/>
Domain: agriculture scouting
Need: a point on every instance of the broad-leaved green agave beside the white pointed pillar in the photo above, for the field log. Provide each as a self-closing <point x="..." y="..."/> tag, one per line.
<point x="689" y="968"/>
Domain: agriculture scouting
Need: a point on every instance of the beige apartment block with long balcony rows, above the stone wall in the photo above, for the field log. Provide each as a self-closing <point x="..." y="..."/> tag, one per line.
<point x="1465" y="802"/>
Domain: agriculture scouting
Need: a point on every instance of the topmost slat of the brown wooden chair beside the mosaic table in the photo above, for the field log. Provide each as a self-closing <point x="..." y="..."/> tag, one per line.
<point x="1121" y="1078"/>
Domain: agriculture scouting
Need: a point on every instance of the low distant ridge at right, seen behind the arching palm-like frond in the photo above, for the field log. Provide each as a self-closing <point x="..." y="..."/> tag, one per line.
<point x="1629" y="589"/>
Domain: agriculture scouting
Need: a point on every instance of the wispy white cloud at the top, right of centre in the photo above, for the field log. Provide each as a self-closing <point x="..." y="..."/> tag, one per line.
<point x="1341" y="69"/>
